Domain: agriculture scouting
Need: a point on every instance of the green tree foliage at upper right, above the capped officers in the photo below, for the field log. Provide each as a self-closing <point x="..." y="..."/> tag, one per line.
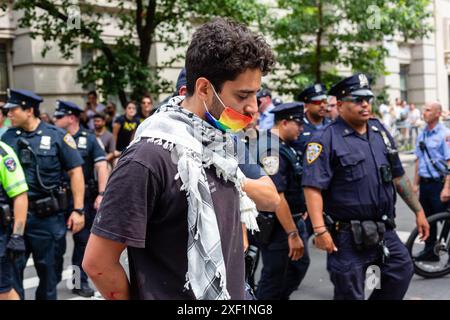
<point x="313" y="38"/>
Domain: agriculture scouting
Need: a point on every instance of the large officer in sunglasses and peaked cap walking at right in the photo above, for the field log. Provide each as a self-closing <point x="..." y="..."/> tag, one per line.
<point x="351" y="172"/>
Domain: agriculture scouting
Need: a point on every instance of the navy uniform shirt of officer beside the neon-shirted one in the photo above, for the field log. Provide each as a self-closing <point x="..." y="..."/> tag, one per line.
<point x="56" y="152"/>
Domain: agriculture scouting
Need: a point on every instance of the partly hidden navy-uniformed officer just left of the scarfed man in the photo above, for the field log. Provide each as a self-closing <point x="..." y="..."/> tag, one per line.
<point x="67" y="117"/>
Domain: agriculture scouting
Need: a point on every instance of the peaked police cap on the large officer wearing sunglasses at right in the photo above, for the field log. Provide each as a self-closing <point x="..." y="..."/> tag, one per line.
<point x="356" y="85"/>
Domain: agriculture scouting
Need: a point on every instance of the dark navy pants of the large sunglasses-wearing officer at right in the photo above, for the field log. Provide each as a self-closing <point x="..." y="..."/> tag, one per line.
<point x="347" y="268"/>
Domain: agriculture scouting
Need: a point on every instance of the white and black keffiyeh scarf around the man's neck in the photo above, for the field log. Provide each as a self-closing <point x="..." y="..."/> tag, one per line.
<point x="196" y="145"/>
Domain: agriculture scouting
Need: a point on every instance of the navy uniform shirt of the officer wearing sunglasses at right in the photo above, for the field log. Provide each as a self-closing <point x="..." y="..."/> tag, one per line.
<point x="346" y="167"/>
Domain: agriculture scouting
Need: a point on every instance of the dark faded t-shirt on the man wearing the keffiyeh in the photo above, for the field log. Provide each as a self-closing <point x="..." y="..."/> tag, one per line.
<point x="144" y="208"/>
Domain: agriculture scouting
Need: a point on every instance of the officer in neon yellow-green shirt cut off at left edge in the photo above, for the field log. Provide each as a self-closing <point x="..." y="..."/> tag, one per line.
<point x="13" y="190"/>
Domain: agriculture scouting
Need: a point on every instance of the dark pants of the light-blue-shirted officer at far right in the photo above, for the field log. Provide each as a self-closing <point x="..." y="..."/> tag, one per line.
<point x="431" y="203"/>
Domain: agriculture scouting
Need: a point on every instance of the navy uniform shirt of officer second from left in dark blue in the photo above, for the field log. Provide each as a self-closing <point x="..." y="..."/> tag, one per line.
<point x="91" y="152"/>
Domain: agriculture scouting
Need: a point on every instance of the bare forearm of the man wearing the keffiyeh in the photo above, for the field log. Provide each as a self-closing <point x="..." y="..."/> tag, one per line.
<point x="102" y="263"/>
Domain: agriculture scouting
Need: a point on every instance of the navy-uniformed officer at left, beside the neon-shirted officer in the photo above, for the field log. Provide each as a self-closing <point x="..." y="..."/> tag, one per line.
<point x="45" y="153"/>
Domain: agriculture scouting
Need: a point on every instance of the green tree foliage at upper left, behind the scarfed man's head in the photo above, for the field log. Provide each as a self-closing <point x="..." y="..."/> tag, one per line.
<point x="124" y="65"/>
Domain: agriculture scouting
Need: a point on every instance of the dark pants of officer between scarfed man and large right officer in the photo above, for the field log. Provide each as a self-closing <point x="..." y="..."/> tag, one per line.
<point x="280" y="276"/>
